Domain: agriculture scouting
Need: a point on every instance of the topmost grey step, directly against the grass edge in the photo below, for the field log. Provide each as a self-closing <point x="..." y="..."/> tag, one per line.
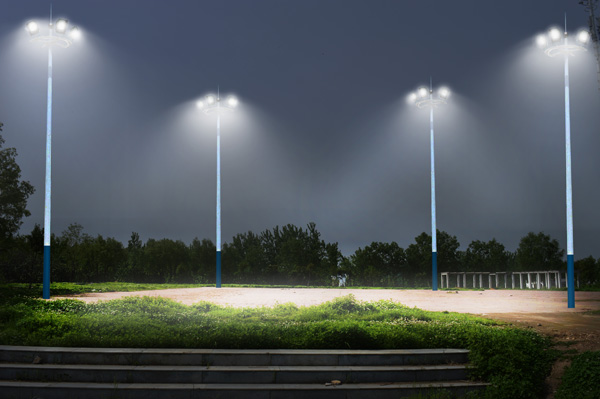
<point x="231" y="357"/>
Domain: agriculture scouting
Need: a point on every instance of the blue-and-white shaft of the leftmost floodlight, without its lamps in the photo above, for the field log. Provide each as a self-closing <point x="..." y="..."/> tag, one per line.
<point x="48" y="183"/>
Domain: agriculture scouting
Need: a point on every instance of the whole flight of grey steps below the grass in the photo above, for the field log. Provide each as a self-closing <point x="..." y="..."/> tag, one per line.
<point x="30" y="372"/>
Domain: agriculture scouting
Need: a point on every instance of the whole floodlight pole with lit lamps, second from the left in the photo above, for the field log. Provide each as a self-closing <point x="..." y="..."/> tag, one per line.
<point x="214" y="105"/>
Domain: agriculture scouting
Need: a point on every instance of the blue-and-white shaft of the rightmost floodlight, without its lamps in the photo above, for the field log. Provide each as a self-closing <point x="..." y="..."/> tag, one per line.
<point x="570" y="255"/>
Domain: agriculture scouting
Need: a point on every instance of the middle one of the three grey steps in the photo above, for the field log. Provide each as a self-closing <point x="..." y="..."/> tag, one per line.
<point x="229" y="374"/>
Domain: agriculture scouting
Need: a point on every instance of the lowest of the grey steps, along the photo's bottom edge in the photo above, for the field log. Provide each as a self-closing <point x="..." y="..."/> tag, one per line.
<point x="62" y="390"/>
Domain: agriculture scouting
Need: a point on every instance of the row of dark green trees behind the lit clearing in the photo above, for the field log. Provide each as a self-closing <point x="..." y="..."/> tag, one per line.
<point x="286" y="255"/>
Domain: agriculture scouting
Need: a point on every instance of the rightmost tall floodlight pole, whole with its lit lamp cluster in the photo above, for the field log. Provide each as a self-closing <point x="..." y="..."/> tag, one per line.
<point x="556" y="43"/>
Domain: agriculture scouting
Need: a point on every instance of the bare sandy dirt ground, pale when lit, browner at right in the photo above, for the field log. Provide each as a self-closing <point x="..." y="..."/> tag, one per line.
<point x="545" y="311"/>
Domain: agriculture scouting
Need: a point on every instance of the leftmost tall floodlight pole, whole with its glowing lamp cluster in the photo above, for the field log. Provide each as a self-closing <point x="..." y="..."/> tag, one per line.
<point x="56" y="34"/>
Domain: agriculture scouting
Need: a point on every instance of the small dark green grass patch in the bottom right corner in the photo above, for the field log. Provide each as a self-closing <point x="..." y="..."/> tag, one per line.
<point x="582" y="378"/>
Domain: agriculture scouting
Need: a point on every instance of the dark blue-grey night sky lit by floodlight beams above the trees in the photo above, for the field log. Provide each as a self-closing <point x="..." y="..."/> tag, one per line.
<point x="323" y="133"/>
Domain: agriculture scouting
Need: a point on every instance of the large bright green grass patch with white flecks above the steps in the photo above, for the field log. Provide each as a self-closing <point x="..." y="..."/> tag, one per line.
<point x="515" y="361"/>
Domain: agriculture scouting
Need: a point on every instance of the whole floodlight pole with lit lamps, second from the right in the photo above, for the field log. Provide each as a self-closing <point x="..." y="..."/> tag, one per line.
<point x="426" y="98"/>
